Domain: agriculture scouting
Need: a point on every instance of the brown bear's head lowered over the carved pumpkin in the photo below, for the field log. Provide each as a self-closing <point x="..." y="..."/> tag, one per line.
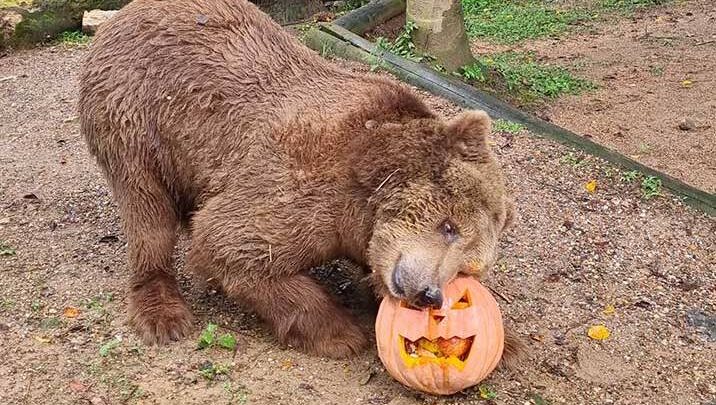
<point x="440" y="204"/>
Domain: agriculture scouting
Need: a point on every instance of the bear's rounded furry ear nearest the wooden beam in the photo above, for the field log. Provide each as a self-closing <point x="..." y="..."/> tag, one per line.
<point x="467" y="134"/>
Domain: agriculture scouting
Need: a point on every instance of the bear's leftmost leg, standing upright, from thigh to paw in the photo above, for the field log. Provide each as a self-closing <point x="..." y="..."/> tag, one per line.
<point x="157" y="310"/>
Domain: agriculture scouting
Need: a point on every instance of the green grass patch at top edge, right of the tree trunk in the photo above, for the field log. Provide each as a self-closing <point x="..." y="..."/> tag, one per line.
<point x="510" y="21"/>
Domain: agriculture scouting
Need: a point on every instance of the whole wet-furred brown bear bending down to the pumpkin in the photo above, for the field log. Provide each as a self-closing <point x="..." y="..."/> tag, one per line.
<point x="206" y="115"/>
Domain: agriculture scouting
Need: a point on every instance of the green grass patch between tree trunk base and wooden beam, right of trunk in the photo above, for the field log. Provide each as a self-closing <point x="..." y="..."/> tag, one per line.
<point x="521" y="77"/>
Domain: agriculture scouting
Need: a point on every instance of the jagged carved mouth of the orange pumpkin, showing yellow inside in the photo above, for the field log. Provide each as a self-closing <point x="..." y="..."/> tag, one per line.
<point x="452" y="351"/>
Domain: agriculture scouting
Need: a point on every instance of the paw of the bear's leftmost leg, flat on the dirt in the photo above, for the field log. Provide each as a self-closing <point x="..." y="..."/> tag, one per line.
<point x="159" y="314"/>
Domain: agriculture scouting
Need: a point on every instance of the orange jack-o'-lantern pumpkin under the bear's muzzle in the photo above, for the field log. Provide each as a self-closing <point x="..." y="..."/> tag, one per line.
<point x="446" y="350"/>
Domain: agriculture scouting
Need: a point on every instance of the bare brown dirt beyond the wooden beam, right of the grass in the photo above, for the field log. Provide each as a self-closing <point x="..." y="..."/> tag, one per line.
<point x="655" y="70"/>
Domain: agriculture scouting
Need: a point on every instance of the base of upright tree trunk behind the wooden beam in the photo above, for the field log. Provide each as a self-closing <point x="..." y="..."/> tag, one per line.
<point x="440" y="31"/>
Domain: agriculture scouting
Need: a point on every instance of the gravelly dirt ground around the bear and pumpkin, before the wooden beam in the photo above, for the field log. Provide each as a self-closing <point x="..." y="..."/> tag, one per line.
<point x="571" y="255"/>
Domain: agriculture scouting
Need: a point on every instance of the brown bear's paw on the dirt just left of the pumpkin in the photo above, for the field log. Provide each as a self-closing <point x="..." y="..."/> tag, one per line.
<point x="331" y="334"/>
